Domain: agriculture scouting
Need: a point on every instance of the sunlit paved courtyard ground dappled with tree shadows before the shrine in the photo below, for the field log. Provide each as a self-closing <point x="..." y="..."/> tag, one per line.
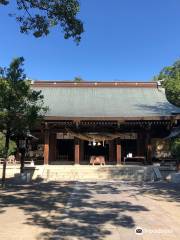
<point x="88" y="211"/>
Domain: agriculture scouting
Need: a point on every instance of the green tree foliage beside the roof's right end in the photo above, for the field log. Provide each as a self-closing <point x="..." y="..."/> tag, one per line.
<point x="171" y="77"/>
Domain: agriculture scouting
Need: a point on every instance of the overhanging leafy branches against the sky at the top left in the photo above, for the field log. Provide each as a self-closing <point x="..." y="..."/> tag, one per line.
<point x="39" y="16"/>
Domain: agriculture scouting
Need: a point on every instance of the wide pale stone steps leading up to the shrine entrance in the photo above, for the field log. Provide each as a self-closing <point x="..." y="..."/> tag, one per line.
<point x="95" y="173"/>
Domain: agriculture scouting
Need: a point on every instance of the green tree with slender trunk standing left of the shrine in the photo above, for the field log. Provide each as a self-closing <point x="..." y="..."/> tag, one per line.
<point x="21" y="108"/>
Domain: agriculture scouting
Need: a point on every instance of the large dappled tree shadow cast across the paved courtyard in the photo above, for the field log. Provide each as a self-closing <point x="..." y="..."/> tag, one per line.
<point x="64" y="213"/>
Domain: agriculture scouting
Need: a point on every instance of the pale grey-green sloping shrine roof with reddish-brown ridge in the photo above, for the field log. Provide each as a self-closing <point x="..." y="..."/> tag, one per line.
<point x="108" y="101"/>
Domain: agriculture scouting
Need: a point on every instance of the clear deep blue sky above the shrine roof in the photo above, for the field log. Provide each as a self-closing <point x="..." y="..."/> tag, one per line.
<point x="129" y="40"/>
